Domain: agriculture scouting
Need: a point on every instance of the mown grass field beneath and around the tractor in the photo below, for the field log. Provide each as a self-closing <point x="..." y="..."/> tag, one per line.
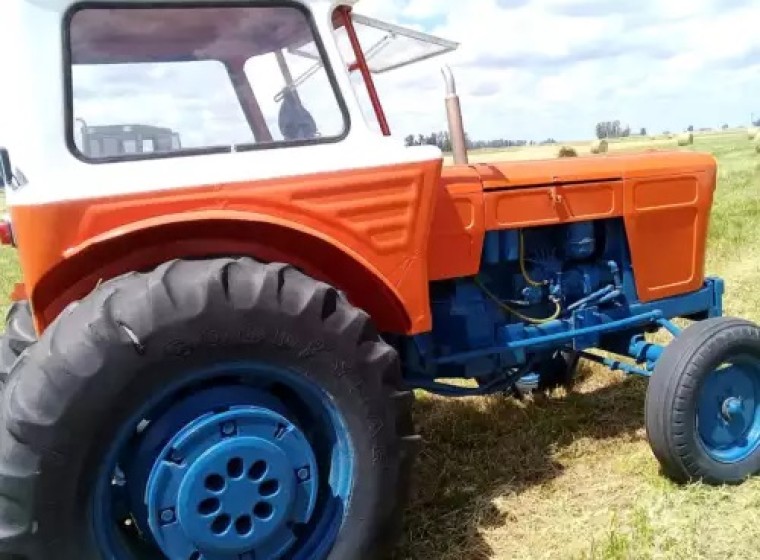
<point x="571" y="475"/>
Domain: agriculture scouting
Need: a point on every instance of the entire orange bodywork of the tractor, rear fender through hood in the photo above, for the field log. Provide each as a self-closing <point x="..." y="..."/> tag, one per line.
<point x="380" y="234"/>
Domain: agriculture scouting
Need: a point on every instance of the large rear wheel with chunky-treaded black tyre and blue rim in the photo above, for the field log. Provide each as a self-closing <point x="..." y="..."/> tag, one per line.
<point x="208" y="410"/>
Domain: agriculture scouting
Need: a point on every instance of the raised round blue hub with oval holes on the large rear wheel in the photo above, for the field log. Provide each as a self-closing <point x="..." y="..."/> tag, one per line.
<point x="232" y="485"/>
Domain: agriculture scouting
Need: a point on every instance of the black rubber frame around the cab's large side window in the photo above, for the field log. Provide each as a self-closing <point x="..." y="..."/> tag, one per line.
<point x="69" y="123"/>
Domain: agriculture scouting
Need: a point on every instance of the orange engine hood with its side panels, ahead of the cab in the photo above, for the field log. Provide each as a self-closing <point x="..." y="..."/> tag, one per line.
<point x="665" y="200"/>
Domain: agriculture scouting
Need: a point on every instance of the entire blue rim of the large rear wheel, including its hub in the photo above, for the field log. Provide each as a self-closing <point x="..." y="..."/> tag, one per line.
<point x="240" y="461"/>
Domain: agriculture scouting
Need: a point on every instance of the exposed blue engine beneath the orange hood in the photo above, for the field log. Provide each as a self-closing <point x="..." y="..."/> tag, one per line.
<point x="530" y="280"/>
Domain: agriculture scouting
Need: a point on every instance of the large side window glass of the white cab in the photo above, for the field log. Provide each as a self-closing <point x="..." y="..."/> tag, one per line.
<point x="145" y="82"/>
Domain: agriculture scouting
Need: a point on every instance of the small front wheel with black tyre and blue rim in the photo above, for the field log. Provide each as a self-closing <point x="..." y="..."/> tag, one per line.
<point x="703" y="403"/>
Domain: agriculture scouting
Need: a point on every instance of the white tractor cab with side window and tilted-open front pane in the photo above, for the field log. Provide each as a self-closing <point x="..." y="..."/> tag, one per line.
<point x="131" y="81"/>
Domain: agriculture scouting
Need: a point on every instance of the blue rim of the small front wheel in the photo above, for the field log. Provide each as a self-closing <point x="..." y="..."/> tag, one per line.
<point x="728" y="411"/>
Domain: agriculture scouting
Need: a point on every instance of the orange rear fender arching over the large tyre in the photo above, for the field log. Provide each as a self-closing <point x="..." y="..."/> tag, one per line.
<point x="364" y="231"/>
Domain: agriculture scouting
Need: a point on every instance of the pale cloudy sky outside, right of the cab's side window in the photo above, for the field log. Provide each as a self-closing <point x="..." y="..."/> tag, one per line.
<point x="535" y="69"/>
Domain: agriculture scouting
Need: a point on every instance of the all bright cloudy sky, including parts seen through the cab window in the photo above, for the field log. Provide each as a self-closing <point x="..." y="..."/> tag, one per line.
<point x="525" y="70"/>
